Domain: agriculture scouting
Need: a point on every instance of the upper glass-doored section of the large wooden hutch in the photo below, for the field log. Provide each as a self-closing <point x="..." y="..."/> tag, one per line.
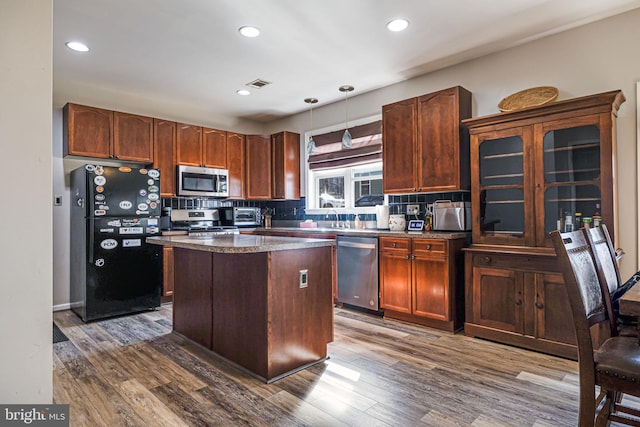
<point x="536" y="167"/>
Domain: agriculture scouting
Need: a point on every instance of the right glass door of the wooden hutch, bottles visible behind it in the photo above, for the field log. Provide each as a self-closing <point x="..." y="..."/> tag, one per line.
<point x="571" y="179"/>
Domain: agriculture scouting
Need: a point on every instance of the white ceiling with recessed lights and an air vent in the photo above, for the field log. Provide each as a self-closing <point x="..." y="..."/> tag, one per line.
<point x="189" y="52"/>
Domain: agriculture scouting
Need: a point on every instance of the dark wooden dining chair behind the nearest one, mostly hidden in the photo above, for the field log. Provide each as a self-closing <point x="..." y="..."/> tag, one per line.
<point x="609" y="274"/>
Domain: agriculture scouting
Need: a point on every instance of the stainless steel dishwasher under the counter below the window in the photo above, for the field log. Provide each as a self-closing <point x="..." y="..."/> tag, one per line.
<point x="358" y="271"/>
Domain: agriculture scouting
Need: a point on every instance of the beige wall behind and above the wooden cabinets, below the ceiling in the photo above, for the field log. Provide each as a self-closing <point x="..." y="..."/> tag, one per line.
<point x="595" y="58"/>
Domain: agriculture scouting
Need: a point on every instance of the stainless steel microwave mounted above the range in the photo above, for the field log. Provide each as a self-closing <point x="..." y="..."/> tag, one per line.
<point x="204" y="182"/>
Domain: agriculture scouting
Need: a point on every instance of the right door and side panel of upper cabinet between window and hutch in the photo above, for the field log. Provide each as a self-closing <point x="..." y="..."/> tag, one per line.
<point x="442" y="143"/>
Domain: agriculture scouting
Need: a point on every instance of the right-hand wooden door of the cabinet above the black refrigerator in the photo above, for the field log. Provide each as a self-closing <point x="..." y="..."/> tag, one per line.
<point x="132" y="137"/>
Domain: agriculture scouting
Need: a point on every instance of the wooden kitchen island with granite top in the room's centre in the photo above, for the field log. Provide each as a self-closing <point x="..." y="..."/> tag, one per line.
<point x="263" y="303"/>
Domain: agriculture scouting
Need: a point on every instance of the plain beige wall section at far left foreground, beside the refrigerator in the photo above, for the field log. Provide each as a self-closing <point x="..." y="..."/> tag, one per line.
<point x="25" y="179"/>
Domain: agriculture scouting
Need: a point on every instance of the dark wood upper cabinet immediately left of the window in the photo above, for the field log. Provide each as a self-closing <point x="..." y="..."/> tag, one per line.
<point x="285" y="163"/>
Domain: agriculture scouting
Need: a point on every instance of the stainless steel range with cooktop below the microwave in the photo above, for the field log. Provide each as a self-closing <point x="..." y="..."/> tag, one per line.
<point x="200" y="222"/>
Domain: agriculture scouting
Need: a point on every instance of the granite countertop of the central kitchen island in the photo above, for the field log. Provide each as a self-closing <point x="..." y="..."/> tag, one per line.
<point x="239" y="243"/>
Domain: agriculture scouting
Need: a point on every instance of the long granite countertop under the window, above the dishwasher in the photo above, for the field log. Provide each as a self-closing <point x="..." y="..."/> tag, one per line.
<point x="447" y="235"/>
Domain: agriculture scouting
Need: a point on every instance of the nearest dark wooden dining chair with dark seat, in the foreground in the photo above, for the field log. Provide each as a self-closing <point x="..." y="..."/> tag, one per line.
<point x="614" y="366"/>
